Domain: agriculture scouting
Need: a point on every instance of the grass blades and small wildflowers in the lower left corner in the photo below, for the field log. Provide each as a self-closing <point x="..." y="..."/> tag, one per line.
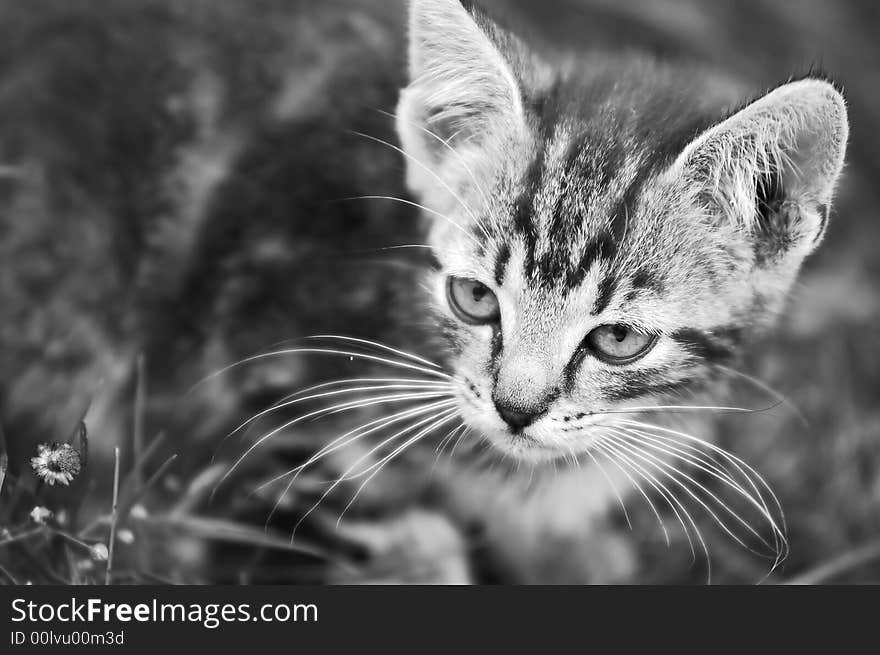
<point x="80" y="539"/>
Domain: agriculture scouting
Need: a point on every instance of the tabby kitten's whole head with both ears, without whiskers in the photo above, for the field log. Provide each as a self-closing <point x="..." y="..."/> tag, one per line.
<point x="606" y="234"/>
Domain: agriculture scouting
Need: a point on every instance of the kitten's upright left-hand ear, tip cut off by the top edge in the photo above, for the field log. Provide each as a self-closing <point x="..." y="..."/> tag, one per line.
<point x="462" y="85"/>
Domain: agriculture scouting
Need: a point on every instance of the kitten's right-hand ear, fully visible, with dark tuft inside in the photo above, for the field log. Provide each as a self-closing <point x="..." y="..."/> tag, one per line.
<point x="772" y="167"/>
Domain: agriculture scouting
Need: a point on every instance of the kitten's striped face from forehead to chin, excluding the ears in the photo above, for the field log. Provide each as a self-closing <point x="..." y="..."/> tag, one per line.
<point x="600" y="305"/>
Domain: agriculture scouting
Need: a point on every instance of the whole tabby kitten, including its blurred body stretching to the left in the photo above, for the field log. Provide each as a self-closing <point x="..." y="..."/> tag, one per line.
<point x="607" y="234"/>
